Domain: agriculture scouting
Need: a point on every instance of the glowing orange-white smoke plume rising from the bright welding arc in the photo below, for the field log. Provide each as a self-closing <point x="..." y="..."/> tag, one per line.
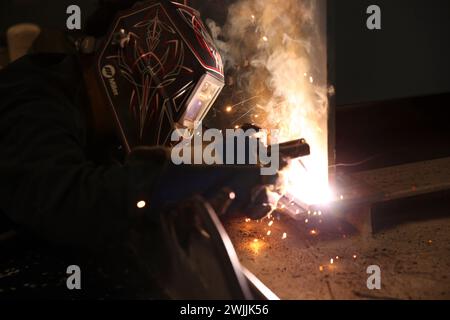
<point x="276" y="51"/>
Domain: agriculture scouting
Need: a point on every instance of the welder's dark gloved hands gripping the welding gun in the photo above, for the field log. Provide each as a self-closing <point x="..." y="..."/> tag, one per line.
<point x="244" y="185"/>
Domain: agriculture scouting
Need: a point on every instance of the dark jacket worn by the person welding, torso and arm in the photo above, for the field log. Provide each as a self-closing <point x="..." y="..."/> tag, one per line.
<point x="47" y="183"/>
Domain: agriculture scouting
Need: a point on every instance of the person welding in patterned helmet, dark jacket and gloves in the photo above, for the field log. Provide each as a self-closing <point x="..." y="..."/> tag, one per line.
<point x="84" y="134"/>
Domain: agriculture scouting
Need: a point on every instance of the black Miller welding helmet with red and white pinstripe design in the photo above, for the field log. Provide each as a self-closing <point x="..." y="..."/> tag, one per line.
<point x="159" y="70"/>
